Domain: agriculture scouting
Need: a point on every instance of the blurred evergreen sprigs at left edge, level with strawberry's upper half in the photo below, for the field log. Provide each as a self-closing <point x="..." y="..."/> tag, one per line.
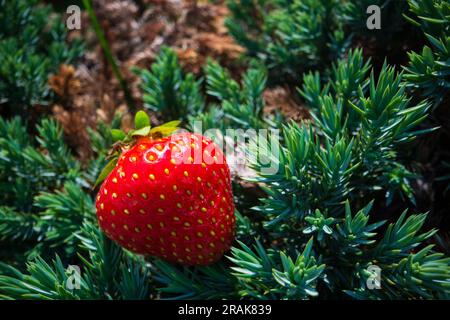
<point x="25" y="169"/>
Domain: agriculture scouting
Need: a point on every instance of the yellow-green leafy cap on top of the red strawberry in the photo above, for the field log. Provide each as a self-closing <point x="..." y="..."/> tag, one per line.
<point x="123" y="141"/>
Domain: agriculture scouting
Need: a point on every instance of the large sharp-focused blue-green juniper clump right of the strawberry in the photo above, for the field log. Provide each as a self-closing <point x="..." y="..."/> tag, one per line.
<point x="350" y="153"/>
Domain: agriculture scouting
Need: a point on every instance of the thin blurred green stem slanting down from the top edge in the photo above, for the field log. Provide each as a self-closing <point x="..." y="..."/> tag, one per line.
<point x="109" y="56"/>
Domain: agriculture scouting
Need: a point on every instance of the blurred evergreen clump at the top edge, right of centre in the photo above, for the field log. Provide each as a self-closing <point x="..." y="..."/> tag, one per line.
<point x="291" y="37"/>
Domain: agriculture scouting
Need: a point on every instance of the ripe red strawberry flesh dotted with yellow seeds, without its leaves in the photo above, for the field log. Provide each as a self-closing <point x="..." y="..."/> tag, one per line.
<point x="169" y="197"/>
